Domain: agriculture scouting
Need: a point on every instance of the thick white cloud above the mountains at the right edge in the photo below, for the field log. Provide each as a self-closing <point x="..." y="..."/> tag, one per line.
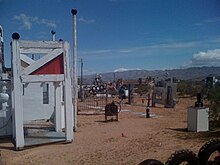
<point x="208" y="58"/>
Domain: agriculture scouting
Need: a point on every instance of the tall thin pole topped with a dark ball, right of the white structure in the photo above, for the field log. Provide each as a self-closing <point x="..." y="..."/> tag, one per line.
<point x="75" y="90"/>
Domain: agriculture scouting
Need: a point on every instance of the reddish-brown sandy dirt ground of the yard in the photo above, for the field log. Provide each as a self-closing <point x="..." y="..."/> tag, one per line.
<point x="131" y="140"/>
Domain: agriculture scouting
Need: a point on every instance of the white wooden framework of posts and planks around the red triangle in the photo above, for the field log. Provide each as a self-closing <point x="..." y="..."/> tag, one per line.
<point x="53" y="49"/>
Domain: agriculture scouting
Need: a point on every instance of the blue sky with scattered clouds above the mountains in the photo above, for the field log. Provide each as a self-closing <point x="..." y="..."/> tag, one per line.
<point x="116" y="35"/>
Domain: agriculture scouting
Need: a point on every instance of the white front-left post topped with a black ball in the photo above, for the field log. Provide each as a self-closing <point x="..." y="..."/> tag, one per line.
<point x="17" y="104"/>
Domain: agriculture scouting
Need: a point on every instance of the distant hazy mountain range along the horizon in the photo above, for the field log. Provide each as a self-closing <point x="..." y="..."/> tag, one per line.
<point x="195" y="73"/>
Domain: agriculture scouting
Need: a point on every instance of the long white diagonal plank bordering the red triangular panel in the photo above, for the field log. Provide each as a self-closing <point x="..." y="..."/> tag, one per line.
<point x="42" y="61"/>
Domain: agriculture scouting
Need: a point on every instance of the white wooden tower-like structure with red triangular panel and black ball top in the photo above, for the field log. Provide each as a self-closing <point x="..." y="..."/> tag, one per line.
<point x="28" y="75"/>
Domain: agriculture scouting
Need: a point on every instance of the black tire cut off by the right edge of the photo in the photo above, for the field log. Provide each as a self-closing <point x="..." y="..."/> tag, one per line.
<point x="207" y="149"/>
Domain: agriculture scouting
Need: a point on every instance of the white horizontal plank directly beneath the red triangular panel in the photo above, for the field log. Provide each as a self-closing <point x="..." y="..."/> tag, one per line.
<point x="42" y="78"/>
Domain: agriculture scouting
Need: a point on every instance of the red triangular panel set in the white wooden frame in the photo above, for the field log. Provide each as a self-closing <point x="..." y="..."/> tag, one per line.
<point x="55" y="66"/>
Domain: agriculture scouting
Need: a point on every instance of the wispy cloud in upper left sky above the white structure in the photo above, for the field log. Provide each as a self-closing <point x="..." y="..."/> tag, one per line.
<point x="28" y="21"/>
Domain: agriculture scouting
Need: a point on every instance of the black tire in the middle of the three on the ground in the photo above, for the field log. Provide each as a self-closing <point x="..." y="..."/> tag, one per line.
<point x="181" y="156"/>
